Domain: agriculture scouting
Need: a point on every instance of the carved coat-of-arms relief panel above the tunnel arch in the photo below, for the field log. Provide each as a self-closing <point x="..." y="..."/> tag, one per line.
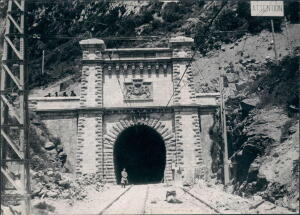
<point x="138" y="90"/>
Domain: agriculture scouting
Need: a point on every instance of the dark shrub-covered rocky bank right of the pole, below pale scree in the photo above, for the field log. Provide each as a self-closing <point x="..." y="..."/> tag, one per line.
<point x="261" y="121"/>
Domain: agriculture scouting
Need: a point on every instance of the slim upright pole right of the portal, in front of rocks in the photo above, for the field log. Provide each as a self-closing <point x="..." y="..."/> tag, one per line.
<point x="224" y="130"/>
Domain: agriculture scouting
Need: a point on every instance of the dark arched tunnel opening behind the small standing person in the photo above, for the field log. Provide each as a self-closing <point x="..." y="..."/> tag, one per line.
<point x="141" y="150"/>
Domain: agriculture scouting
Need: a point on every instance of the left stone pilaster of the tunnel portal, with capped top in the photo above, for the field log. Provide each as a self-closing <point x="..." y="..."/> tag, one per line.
<point x="89" y="150"/>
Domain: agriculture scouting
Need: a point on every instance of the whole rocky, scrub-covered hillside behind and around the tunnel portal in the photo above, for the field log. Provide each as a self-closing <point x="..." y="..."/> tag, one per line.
<point x="262" y="97"/>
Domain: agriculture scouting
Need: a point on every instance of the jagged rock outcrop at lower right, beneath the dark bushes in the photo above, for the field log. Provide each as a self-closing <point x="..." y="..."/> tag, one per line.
<point x="263" y="163"/>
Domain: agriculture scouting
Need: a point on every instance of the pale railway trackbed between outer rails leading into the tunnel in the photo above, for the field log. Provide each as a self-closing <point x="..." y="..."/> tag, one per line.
<point x="138" y="199"/>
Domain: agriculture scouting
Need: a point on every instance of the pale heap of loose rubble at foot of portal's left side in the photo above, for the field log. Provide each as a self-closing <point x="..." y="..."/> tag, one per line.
<point x="51" y="183"/>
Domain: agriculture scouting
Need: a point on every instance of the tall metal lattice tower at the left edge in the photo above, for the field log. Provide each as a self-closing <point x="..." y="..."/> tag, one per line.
<point x="14" y="147"/>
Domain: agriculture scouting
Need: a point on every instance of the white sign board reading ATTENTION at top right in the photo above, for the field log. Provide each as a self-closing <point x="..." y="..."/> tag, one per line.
<point x="267" y="8"/>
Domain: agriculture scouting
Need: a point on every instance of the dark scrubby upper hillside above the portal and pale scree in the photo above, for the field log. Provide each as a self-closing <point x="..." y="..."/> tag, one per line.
<point x="57" y="26"/>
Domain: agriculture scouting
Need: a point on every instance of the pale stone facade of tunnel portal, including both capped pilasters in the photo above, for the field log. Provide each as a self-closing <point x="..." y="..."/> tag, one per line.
<point x="188" y="146"/>
